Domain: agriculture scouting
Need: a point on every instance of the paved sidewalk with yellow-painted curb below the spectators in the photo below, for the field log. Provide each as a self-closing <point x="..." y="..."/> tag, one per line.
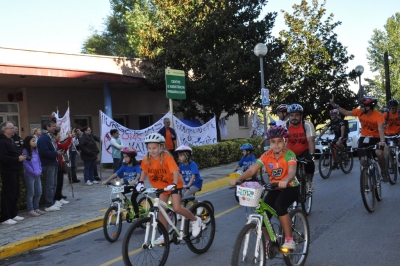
<point x="84" y="212"/>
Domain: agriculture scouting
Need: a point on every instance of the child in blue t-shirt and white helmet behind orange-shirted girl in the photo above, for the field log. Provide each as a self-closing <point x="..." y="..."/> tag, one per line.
<point x="189" y="171"/>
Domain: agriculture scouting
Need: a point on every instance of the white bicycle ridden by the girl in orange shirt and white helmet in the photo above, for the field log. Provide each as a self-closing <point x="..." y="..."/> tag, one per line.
<point x="139" y="246"/>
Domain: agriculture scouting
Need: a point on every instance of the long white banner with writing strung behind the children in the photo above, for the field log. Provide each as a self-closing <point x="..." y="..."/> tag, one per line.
<point x="186" y="135"/>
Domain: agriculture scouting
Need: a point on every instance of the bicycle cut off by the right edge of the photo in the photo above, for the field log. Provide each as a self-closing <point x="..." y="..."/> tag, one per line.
<point x="392" y="162"/>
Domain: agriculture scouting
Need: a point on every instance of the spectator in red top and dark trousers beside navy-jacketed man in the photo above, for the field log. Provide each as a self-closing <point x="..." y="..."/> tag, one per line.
<point x="64" y="145"/>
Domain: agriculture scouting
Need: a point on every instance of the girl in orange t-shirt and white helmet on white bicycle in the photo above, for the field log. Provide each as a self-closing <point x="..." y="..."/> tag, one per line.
<point x="159" y="165"/>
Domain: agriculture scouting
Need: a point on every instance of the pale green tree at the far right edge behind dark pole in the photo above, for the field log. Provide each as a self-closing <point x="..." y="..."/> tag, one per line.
<point x="382" y="41"/>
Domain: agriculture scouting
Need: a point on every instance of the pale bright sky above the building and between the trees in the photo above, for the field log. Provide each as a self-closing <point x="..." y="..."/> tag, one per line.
<point x="62" y="26"/>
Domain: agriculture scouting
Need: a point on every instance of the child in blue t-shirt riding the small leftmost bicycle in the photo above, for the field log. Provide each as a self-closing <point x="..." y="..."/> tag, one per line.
<point x="130" y="173"/>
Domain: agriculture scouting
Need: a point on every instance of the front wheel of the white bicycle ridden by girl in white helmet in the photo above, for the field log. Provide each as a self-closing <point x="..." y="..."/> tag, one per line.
<point x="137" y="248"/>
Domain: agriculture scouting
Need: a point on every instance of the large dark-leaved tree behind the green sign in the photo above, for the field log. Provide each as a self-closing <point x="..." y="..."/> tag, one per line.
<point x="212" y="41"/>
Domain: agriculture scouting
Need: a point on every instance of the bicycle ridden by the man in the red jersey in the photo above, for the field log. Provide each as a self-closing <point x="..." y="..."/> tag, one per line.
<point x="305" y="198"/>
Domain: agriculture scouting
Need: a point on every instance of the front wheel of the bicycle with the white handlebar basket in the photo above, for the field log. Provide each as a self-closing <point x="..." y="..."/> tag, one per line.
<point x="246" y="250"/>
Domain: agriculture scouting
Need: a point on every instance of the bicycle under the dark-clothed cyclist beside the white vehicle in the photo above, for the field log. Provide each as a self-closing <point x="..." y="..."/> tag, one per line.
<point x="332" y="158"/>
